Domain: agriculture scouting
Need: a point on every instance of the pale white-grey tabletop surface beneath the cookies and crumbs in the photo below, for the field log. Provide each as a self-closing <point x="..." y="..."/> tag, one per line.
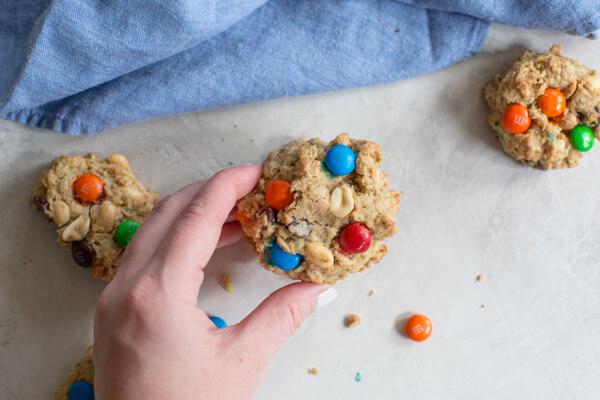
<point x="467" y="209"/>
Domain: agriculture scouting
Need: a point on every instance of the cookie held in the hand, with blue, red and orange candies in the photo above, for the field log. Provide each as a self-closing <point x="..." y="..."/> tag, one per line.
<point x="320" y="210"/>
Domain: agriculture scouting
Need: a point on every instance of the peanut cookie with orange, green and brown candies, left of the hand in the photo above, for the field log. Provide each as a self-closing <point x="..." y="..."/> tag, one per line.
<point x="97" y="205"/>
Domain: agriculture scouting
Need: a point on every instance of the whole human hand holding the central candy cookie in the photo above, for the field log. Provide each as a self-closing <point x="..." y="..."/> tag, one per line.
<point x="151" y="339"/>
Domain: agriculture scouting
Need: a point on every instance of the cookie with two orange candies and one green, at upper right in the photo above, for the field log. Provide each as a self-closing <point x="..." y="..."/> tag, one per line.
<point x="545" y="109"/>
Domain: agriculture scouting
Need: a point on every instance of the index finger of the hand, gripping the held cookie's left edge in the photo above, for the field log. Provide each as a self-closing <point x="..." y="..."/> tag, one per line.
<point x="195" y="233"/>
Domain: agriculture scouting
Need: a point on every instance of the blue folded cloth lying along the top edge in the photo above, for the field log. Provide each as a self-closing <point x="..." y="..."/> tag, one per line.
<point x="84" y="66"/>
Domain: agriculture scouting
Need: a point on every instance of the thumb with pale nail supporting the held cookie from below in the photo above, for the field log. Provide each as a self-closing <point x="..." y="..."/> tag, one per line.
<point x="269" y="326"/>
